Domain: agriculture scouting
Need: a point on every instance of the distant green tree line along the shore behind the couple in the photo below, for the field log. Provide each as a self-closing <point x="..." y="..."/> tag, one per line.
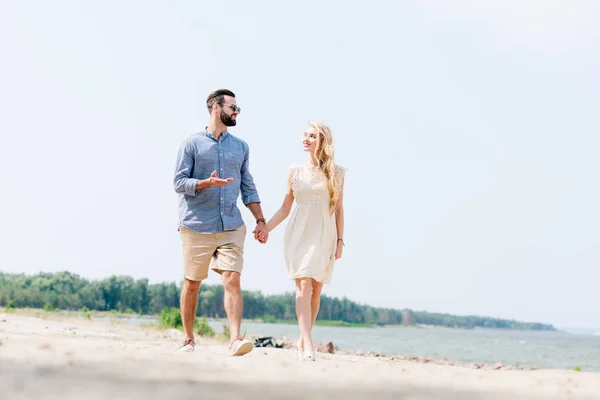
<point x="68" y="291"/>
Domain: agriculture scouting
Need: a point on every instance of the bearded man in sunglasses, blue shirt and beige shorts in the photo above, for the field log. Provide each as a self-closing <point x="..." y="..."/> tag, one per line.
<point x="212" y="169"/>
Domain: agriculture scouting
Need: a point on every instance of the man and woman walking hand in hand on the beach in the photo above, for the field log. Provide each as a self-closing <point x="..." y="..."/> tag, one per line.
<point x="212" y="170"/>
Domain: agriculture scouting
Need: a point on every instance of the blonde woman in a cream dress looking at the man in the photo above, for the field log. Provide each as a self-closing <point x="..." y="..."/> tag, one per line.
<point x="314" y="235"/>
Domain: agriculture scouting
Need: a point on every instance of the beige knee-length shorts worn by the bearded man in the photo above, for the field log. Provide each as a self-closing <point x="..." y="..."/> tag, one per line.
<point x="220" y="252"/>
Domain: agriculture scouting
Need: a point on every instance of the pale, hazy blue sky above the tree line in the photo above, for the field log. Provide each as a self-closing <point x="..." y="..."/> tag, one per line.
<point x="469" y="130"/>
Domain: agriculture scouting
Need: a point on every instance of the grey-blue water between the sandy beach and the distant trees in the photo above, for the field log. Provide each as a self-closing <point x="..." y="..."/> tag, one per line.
<point x="539" y="349"/>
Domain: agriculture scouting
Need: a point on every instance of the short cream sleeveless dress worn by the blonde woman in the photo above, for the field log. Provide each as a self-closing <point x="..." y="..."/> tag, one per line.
<point x="310" y="238"/>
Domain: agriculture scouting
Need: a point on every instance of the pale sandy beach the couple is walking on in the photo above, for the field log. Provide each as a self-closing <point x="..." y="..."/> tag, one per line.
<point x="71" y="358"/>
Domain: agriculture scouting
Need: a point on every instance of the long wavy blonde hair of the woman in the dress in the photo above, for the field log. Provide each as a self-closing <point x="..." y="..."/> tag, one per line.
<point x="324" y="156"/>
